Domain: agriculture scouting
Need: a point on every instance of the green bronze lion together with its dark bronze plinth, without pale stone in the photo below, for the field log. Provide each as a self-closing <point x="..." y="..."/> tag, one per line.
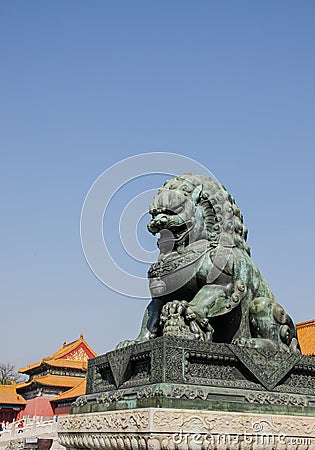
<point x="213" y="337"/>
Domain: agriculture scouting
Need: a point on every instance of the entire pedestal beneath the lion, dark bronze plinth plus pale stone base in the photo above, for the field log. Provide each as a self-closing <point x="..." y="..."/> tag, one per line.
<point x="178" y="394"/>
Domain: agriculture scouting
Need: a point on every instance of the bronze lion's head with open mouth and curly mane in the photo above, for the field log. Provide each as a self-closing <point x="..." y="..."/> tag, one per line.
<point x="192" y="207"/>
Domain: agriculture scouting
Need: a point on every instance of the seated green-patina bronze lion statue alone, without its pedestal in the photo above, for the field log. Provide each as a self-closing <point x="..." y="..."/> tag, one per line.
<point x="204" y="284"/>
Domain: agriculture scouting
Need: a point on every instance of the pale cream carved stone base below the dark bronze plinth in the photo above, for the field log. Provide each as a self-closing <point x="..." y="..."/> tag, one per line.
<point x="179" y="429"/>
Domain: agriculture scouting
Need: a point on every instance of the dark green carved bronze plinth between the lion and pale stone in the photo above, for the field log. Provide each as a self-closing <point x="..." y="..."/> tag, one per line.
<point x="177" y="373"/>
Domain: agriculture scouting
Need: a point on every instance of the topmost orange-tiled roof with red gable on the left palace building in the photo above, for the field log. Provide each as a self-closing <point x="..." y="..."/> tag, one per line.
<point x="70" y="356"/>
